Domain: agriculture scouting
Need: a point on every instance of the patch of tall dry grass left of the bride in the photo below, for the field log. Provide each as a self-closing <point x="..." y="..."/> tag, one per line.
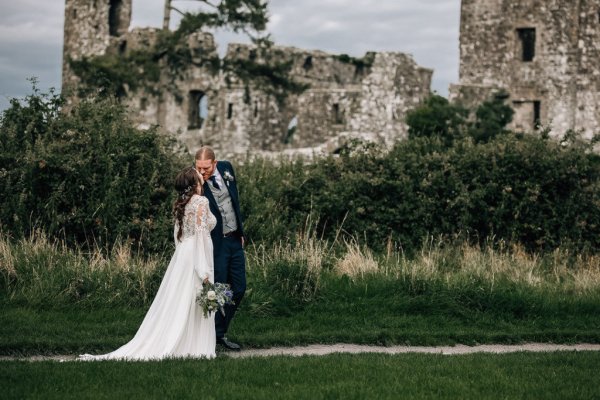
<point x="39" y="271"/>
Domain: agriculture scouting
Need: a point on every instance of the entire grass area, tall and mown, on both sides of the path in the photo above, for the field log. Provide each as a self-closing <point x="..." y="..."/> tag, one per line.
<point x="58" y="301"/>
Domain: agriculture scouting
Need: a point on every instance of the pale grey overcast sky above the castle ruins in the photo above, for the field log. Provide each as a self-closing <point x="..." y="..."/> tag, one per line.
<point x="31" y="34"/>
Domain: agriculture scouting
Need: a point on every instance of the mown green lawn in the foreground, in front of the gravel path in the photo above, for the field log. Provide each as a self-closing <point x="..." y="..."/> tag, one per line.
<point x="561" y="375"/>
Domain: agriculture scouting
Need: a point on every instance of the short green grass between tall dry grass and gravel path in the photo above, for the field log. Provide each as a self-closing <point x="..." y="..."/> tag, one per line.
<point x="374" y="312"/>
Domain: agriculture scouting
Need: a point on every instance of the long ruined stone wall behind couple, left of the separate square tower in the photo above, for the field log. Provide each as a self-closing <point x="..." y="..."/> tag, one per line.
<point x="346" y="97"/>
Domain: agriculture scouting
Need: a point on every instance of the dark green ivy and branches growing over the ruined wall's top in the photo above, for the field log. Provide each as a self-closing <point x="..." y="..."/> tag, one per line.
<point x="117" y="74"/>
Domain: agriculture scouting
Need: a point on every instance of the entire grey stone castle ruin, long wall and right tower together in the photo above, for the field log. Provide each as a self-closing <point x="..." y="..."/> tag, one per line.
<point x="544" y="53"/>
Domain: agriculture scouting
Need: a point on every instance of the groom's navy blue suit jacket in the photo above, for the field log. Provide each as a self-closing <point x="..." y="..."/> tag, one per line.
<point x="217" y="233"/>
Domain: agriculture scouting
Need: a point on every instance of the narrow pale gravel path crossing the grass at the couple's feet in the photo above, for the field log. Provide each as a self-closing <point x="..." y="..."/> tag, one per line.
<point x="320" y="350"/>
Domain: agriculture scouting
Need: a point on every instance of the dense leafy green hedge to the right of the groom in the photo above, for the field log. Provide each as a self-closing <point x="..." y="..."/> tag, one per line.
<point x="526" y="189"/>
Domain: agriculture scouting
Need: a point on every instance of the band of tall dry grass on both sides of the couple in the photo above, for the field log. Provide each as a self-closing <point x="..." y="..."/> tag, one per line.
<point x="37" y="271"/>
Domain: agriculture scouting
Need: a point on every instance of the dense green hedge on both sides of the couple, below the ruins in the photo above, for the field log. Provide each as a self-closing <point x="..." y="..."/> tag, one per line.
<point x="89" y="176"/>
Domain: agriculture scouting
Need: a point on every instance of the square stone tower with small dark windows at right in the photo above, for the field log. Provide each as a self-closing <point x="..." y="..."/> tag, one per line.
<point x="553" y="80"/>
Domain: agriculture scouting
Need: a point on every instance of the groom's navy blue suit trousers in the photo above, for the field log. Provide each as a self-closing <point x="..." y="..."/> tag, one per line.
<point x="230" y="267"/>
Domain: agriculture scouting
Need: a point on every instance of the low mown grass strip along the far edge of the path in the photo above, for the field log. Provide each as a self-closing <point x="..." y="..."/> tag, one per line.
<point x="75" y="330"/>
